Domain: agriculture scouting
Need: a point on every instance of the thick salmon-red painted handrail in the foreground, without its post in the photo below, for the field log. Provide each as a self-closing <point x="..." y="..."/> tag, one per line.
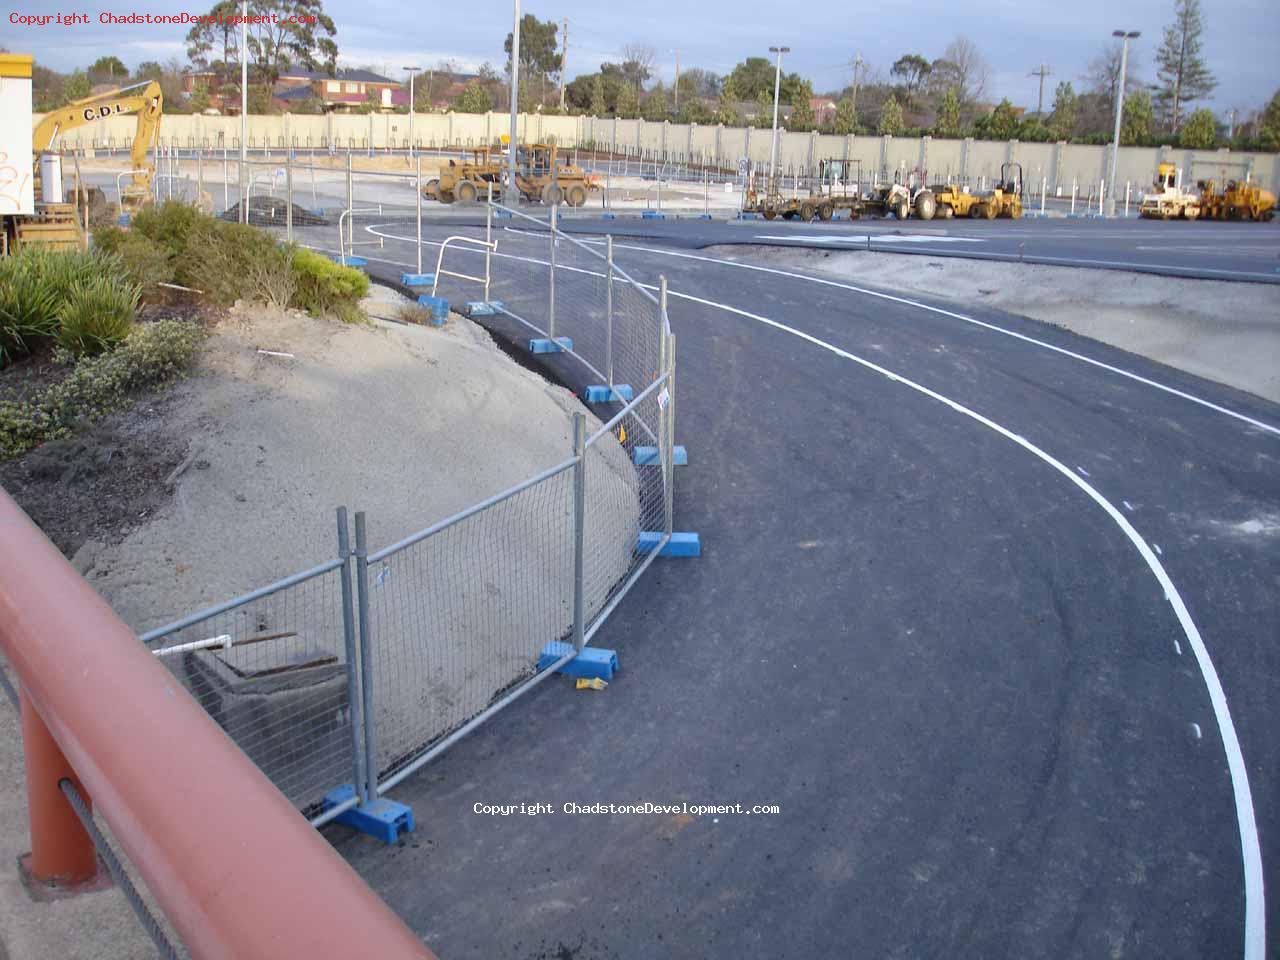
<point x="239" y="872"/>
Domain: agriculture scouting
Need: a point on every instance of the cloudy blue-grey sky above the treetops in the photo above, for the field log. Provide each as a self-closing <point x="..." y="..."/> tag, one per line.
<point x="1241" y="44"/>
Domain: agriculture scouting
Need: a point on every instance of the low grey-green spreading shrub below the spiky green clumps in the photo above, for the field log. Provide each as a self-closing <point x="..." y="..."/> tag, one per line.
<point x="152" y="356"/>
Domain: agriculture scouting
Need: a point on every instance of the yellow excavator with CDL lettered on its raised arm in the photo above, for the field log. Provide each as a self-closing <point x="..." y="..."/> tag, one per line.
<point x="58" y="223"/>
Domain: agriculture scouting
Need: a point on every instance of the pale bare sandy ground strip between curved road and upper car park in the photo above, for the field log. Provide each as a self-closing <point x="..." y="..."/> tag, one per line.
<point x="1222" y="331"/>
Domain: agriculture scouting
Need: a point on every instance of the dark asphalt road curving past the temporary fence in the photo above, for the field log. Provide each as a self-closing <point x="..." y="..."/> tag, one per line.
<point x="994" y="627"/>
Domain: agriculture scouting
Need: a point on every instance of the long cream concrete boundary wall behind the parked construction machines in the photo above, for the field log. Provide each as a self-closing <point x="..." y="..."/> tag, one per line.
<point x="1057" y="166"/>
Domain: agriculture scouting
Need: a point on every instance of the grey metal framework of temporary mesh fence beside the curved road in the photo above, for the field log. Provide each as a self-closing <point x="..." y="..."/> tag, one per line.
<point x="651" y="412"/>
